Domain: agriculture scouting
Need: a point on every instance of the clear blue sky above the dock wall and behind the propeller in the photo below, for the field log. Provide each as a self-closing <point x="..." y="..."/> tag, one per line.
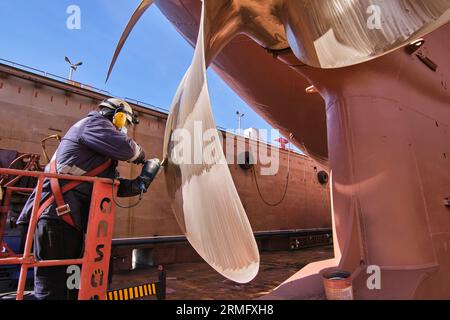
<point x="149" y="69"/>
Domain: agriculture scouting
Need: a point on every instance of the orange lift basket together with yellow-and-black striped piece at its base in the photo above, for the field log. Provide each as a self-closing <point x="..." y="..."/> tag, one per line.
<point x="93" y="284"/>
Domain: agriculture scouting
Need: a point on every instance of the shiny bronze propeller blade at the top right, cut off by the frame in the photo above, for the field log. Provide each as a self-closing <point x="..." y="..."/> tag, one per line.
<point x="336" y="33"/>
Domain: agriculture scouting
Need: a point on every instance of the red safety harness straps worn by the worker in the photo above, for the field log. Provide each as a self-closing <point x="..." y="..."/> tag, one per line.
<point x="63" y="209"/>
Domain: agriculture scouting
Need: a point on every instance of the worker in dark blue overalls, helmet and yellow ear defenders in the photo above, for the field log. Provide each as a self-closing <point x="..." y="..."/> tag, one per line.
<point x="91" y="147"/>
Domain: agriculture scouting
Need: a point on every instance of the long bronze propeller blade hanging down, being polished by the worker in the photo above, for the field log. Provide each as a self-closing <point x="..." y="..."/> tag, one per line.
<point x="204" y="198"/>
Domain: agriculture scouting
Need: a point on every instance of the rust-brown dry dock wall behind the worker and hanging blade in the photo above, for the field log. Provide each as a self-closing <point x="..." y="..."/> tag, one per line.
<point x="33" y="107"/>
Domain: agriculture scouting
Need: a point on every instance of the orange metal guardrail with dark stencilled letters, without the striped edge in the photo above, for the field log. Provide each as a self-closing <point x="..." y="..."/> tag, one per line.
<point x="94" y="263"/>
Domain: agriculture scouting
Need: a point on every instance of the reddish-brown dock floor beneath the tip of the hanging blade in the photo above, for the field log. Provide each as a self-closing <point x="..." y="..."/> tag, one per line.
<point x="198" y="281"/>
